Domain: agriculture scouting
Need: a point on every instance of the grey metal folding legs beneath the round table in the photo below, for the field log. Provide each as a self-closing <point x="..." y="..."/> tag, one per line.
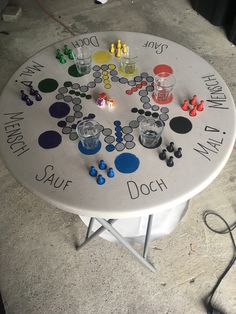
<point x="107" y="225"/>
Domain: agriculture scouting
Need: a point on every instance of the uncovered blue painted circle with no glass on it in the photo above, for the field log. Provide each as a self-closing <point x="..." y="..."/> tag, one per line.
<point x="127" y="163"/>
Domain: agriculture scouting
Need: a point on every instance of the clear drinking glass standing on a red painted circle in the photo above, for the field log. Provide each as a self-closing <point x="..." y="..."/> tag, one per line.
<point x="164" y="83"/>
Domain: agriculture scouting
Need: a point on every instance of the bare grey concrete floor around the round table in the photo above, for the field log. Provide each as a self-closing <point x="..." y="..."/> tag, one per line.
<point x="40" y="272"/>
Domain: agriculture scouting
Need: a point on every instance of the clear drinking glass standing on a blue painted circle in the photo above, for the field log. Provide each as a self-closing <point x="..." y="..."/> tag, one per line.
<point x="89" y="132"/>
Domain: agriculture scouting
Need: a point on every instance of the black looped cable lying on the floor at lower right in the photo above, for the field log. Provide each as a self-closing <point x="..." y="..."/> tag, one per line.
<point x="229" y="229"/>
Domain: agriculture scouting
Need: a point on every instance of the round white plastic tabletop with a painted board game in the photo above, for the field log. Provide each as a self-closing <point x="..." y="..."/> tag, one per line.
<point x="40" y="146"/>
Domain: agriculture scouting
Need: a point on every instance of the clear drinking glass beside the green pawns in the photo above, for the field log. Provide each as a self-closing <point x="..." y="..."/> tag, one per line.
<point x="83" y="60"/>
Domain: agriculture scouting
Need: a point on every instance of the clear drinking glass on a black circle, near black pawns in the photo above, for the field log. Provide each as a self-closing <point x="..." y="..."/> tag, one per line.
<point x="150" y="132"/>
